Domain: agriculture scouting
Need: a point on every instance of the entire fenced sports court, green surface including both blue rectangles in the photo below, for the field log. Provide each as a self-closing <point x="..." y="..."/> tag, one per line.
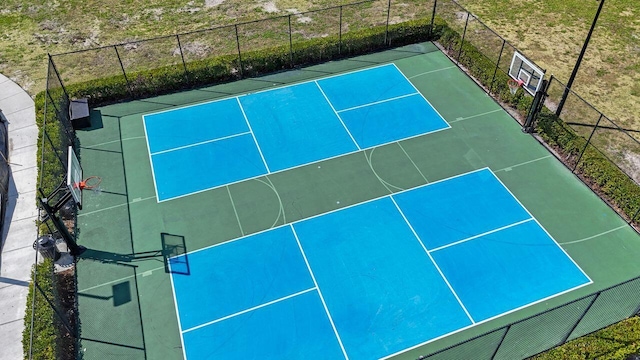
<point x="377" y="207"/>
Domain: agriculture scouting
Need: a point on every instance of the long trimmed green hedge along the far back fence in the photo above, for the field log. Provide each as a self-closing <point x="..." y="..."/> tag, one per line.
<point x="226" y="68"/>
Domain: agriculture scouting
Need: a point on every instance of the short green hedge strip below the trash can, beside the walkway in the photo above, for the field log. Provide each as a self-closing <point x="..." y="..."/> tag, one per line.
<point x="44" y="333"/>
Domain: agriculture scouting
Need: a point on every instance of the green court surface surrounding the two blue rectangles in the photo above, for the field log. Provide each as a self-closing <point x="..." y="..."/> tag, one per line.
<point x="126" y="302"/>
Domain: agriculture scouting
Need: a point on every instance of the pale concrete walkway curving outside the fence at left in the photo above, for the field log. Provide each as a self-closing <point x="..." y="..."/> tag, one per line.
<point x="19" y="232"/>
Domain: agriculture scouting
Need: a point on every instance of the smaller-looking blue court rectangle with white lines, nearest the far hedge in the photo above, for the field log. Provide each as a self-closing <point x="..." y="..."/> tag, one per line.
<point x="204" y="146"/>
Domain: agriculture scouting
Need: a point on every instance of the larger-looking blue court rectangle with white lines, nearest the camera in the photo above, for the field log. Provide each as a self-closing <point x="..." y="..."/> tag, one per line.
<point x="371" y="280"/>
